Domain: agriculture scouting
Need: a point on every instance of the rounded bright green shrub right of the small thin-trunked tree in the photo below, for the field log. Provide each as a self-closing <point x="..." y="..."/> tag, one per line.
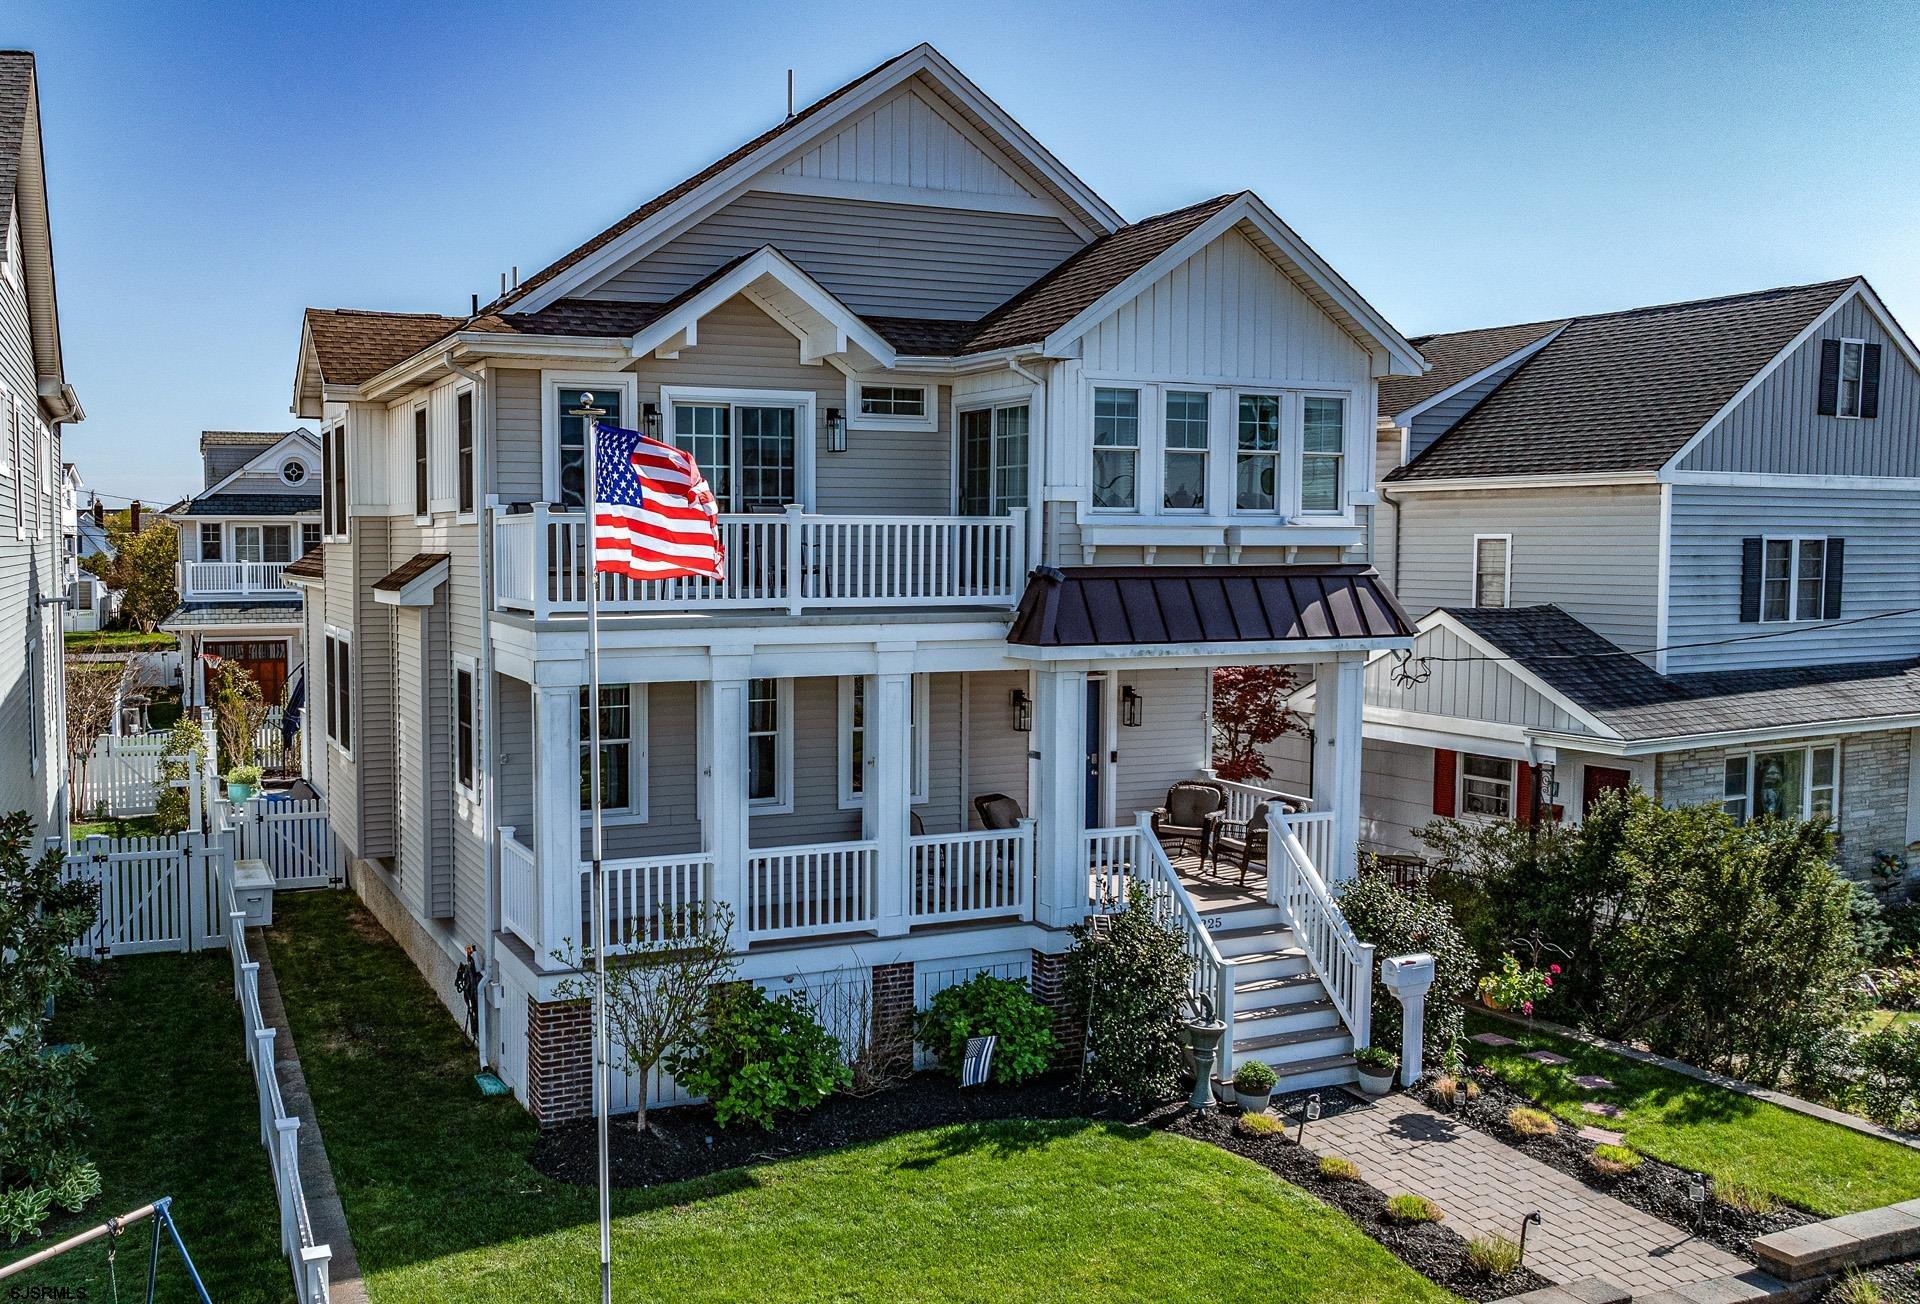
<point x="761" y="1057"/>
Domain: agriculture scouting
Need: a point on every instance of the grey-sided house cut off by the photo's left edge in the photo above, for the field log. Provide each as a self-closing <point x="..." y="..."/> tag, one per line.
<point x="36" y="402"/>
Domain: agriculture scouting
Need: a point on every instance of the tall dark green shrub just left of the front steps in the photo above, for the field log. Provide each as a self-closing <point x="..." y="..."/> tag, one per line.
<point x="1128" y="978"/>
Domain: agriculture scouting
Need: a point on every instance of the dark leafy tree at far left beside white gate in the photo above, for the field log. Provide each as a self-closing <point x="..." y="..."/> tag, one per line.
<point x="41" y="1113"/>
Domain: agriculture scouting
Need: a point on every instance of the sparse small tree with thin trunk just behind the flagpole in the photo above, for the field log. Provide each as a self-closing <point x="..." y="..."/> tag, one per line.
<point x="658" y="992"/>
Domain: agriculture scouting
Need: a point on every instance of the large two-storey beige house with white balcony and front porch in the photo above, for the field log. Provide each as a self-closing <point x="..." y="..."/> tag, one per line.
<point x="919" y="360"/>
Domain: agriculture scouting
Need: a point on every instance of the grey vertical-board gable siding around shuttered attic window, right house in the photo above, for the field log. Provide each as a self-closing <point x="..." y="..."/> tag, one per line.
<point x="1779" y="429"/>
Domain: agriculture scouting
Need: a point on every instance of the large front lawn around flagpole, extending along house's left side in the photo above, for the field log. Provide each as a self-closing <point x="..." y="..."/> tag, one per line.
<point x="444" y="1205"/>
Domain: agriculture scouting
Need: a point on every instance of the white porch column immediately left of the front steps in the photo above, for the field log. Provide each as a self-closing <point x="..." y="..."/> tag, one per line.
<point x="1061" y="796"/>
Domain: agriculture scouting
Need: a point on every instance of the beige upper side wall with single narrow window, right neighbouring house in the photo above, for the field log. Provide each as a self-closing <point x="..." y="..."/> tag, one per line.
<point x="1591" y="552"/>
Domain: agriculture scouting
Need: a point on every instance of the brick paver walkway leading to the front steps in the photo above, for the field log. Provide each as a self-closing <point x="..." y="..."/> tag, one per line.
<point x="1485" y="1186"/>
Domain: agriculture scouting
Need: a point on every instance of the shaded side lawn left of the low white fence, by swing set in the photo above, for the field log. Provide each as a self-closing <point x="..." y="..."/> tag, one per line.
<point x="174" y="1115"/>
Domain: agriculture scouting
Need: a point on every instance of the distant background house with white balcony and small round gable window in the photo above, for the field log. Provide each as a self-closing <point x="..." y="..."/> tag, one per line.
<point x="260" y="512"/>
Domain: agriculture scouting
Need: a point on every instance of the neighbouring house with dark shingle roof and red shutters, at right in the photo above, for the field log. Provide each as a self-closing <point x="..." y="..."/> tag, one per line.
<point x="1669" y="546"/>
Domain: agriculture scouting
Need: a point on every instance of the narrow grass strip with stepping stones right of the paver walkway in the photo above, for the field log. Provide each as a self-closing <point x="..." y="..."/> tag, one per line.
<point x="1733" y="1138"/>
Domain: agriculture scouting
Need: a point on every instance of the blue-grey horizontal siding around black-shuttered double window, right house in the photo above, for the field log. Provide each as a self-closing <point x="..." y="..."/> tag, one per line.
<point x="1881" y="575"/>
